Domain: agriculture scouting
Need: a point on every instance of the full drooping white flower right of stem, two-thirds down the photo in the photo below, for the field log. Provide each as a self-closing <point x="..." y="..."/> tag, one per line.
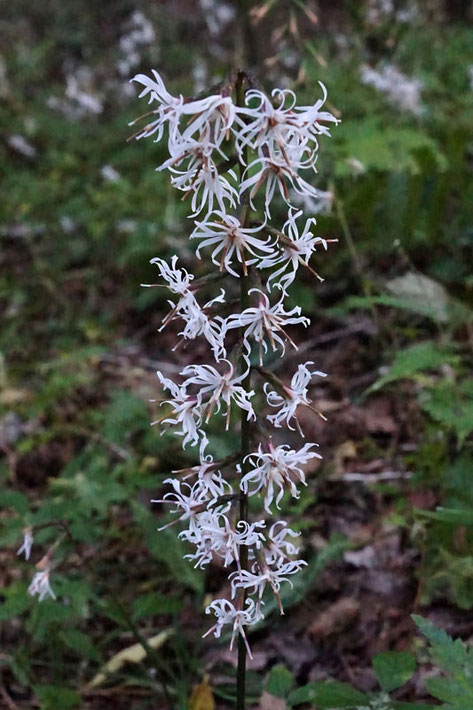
<point x="278" y="467"/>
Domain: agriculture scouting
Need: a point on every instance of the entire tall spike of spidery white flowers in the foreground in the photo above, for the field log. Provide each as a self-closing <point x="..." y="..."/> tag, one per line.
<point x="274" y="144"/>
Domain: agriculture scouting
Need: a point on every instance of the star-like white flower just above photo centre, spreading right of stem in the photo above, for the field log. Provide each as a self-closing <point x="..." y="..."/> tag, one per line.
<point x="266" y="321"/>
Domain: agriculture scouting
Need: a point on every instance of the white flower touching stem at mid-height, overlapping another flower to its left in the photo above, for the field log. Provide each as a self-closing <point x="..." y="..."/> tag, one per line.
<point x="214" y="387"/>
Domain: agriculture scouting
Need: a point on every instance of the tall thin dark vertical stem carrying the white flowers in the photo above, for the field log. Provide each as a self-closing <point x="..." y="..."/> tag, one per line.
<point x="245" y="424"/>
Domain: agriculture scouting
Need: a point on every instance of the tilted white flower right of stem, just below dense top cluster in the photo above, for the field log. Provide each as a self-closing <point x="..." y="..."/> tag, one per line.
<point x="295" y="249"/>
